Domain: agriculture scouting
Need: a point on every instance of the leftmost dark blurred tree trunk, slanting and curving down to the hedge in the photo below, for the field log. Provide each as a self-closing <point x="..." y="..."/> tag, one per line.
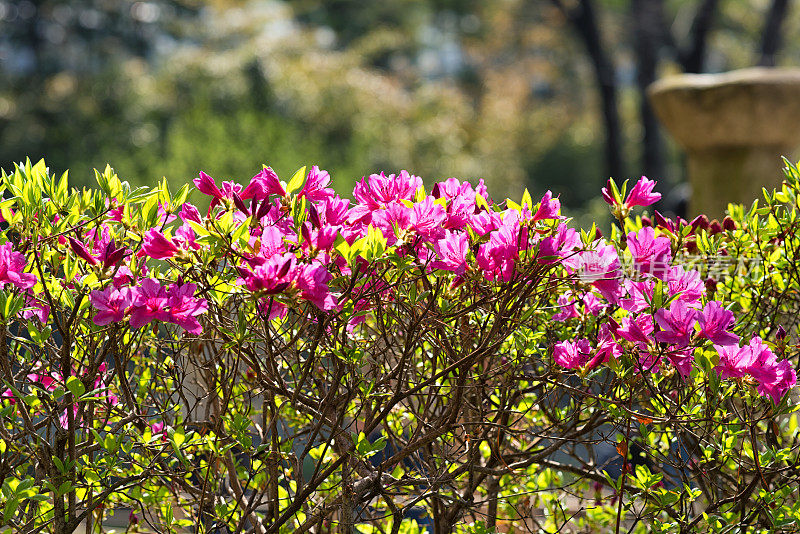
<point x="583" y="19"/>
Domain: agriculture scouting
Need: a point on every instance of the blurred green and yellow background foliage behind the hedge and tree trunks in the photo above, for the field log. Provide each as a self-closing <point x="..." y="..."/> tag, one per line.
<point x="494" y="90"/>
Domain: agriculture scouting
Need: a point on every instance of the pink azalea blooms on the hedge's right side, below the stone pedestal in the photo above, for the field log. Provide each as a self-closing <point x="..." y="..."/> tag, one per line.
<point x="660" y="336"/>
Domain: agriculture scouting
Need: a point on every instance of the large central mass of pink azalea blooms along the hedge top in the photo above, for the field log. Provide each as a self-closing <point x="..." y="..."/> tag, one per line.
<point x="285" y="262"/>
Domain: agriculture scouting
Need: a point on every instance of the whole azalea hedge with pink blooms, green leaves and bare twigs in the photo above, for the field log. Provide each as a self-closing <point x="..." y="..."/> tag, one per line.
<point x="289" y="360"/>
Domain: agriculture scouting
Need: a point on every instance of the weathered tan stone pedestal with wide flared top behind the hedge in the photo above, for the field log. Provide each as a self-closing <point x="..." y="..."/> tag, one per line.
<point x="734" y="127"/>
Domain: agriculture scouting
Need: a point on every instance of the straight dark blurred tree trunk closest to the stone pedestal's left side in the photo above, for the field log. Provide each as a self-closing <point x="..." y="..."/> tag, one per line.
<point x="648" y="37"/>
